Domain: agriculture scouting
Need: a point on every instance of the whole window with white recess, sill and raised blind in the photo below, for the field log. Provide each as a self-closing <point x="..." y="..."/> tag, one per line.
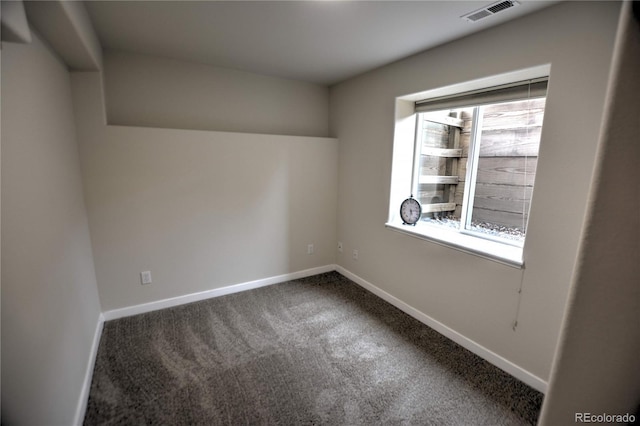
<point x="473" y="161"/>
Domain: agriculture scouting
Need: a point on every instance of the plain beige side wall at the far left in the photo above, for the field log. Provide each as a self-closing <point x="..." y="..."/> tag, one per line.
<point x="50" y="306"/>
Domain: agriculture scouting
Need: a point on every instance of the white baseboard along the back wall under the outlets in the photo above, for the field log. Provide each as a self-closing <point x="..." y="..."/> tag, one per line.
<point x="217" y="292"/>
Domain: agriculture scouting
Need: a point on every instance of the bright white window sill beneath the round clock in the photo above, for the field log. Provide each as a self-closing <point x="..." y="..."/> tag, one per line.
<point x="491" y="250"/>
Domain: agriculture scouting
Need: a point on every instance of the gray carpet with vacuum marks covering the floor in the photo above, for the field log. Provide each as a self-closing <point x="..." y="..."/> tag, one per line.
<point x="319" y="350"/>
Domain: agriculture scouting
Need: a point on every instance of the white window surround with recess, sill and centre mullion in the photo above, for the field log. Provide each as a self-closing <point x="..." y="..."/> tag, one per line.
<point x="403" y="166"/>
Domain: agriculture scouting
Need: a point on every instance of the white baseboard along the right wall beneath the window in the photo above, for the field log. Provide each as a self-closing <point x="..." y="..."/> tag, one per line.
<point x="495" y="359"/>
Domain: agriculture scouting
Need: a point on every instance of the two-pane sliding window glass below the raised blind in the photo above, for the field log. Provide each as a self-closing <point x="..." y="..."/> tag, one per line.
<point x="475" y="167"/>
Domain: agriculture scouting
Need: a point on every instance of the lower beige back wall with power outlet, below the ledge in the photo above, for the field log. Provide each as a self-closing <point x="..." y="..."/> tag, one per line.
<point x="200" y="209"/>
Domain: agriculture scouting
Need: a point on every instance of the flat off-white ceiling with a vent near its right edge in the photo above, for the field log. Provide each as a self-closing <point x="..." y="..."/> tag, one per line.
<point x="323" y="42"/>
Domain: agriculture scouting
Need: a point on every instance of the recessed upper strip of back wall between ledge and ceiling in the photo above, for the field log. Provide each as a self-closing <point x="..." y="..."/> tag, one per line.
<point x="157" y="92"/>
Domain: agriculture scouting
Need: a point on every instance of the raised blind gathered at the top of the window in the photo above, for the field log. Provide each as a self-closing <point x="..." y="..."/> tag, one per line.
<point x="535" y="88"/>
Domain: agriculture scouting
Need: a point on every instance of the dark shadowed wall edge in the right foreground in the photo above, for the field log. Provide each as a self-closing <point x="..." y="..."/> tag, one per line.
<point x="597" y="369"/>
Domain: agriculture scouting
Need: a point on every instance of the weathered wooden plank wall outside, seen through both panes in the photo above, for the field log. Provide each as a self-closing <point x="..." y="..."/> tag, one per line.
<point x="506" y="166"/>
